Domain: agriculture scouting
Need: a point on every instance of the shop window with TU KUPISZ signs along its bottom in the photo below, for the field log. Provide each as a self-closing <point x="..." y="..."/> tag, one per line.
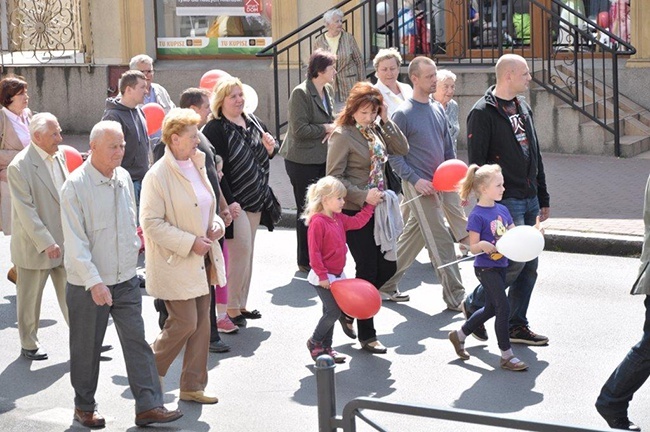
<point x="212" y="27"/>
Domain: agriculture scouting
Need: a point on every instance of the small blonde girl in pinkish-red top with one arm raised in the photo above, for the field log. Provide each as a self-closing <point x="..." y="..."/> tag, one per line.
<point x="327" y="250"/>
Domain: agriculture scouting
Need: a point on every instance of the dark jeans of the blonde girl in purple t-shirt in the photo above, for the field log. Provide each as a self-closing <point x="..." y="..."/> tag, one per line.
<point x="493" y="281"/>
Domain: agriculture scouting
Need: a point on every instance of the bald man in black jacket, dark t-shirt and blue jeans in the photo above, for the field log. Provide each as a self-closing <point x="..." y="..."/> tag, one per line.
<point x="500" y="130"/>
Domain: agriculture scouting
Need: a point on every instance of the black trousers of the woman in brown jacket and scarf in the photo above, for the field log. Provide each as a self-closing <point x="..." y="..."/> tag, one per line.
<point x="370" y="265"/>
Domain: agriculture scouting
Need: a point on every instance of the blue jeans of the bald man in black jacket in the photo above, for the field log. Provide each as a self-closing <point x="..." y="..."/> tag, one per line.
<point x="520" y="277"/>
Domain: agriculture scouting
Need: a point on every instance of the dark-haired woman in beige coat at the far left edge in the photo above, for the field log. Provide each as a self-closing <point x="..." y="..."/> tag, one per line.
<point x="14" y="136"/>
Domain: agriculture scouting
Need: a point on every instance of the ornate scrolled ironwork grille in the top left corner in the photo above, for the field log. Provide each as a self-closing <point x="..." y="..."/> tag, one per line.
<point x="44" y="31"/>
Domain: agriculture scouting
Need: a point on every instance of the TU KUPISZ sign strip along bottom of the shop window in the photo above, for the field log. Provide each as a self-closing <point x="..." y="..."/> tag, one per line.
<point x="212" y="46"/>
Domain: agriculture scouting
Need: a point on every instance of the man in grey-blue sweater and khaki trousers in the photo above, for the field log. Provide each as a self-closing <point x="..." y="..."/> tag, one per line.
<point x="424" y="124"/>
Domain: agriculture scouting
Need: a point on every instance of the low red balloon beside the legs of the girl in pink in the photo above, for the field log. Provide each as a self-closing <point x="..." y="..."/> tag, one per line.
<point x="358" y="298"/>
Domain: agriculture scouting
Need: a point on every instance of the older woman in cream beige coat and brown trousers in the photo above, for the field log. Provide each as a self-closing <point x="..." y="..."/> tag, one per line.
<point x="181" y="229"/>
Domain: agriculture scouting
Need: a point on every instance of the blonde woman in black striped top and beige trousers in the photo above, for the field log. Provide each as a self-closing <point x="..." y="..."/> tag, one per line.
<point x="246" y="146"/>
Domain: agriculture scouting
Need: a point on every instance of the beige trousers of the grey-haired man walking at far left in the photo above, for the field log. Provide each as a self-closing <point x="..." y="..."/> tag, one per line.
<point x="29" y="294"/>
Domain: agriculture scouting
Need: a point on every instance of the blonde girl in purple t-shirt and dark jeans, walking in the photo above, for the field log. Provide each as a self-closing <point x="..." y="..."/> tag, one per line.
<point x="487" y="222"/>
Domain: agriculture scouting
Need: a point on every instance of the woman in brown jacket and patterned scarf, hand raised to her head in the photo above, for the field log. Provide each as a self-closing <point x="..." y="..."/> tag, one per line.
<point x="358" y="151"/>
